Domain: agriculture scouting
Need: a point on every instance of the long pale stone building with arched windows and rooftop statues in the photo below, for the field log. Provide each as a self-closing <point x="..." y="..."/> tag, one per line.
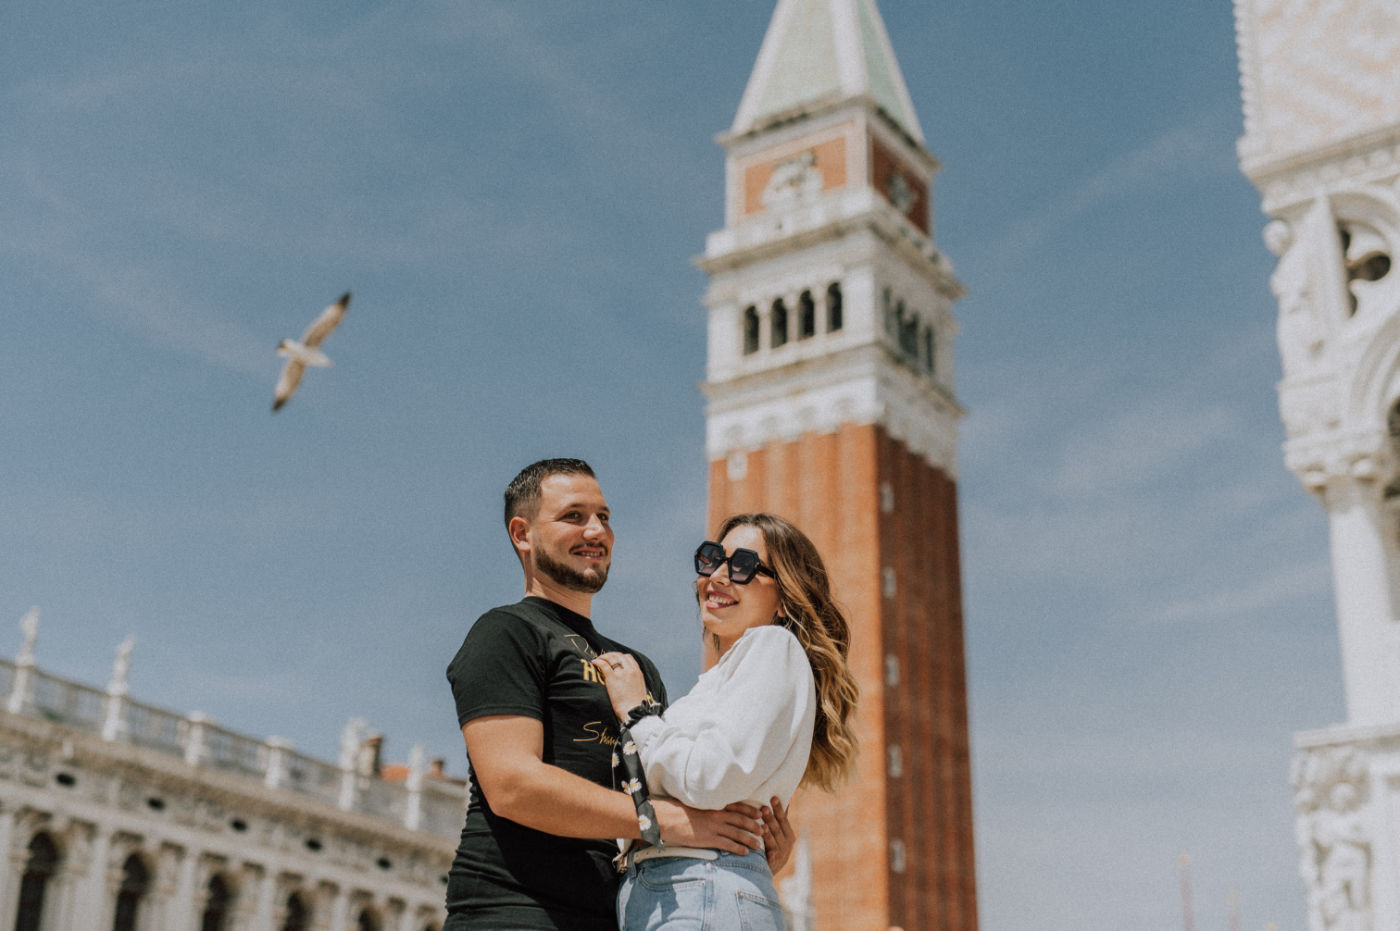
<point x="118" y="815"/>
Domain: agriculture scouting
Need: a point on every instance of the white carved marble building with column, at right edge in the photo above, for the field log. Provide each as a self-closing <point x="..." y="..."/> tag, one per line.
<point x="1322" y="143"/>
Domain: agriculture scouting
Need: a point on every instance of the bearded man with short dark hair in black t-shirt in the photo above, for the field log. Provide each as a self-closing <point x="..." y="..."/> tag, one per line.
<point x="540" y="730"/>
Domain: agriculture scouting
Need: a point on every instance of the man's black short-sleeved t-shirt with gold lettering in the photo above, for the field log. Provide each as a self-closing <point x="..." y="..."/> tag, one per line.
<point x="534" y="660"/>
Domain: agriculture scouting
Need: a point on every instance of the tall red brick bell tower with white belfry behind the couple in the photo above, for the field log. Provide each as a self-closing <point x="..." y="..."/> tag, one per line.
<point x="831" y="402"/>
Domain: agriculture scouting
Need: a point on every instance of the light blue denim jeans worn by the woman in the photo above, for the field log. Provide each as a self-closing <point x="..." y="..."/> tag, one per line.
<point x="733" y="892"/>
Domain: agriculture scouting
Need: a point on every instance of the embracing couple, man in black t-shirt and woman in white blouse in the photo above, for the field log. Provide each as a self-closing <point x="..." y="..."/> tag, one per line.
<point x="558" y="719"/>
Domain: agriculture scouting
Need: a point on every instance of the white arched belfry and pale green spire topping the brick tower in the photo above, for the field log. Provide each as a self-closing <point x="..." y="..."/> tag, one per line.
<point x="829" y="302"/>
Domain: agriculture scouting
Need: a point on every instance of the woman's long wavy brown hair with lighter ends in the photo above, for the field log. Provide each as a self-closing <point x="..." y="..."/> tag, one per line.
<point x="807" y="610"/>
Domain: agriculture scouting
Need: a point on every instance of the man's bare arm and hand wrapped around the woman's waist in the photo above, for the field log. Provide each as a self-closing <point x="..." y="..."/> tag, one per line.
<point x="507" y="761"/>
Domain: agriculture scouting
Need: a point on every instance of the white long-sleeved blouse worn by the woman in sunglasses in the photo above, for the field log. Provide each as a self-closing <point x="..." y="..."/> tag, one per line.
<point x="743" y="734"/>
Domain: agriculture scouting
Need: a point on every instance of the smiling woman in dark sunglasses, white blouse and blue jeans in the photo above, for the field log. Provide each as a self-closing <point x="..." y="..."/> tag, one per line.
<point x="772" y="712"/>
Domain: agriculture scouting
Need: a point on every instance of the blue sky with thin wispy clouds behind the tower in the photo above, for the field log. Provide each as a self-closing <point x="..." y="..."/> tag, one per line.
<point x="514" y="194"/>
